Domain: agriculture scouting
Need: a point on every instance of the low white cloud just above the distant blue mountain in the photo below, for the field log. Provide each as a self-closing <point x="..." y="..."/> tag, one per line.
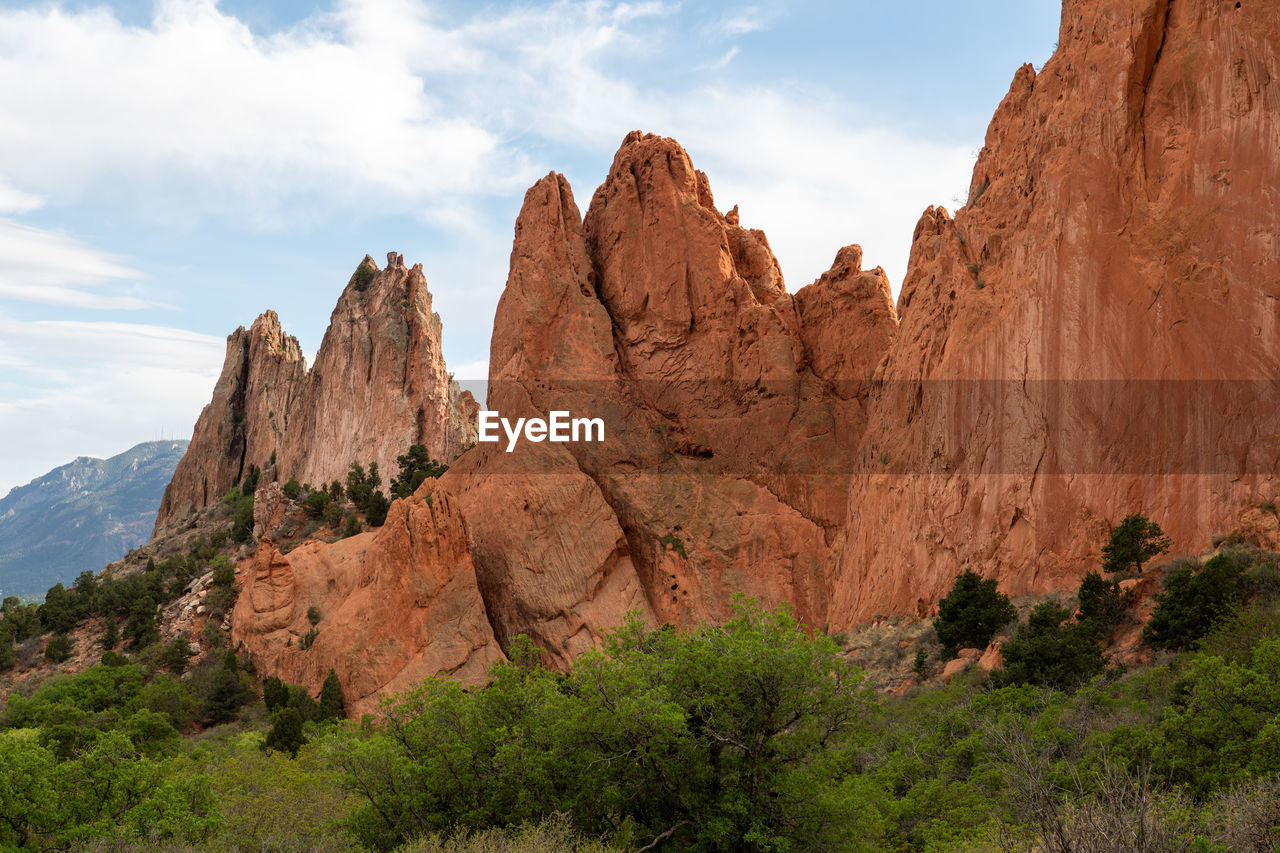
<point x="97" y="389"/>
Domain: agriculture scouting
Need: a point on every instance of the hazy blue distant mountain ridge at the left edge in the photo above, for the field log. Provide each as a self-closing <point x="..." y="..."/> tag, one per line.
<point x="83" y="516"/>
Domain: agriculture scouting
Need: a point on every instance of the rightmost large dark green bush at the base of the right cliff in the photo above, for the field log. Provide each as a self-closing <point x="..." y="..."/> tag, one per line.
<point x="1195" y="601"/>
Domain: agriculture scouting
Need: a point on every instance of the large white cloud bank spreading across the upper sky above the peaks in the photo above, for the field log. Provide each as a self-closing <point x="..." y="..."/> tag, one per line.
<point x="386" y="106"/>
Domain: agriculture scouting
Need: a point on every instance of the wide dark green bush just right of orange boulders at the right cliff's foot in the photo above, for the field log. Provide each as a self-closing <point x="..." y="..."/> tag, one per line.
<point x="1052" y="651"/>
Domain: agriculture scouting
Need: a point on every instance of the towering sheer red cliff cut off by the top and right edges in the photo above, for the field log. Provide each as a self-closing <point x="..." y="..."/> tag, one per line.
<point x="1078" y="343"/>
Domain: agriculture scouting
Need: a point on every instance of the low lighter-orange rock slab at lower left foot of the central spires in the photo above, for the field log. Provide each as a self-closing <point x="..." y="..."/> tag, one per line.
<point x="395" y="606"/>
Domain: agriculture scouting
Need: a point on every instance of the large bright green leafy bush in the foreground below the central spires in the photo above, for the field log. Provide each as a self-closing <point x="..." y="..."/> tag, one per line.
<point x="708" y="741"/>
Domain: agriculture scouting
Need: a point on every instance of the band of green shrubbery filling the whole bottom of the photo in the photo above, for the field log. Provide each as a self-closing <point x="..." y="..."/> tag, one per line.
<point x="747" y="737"/>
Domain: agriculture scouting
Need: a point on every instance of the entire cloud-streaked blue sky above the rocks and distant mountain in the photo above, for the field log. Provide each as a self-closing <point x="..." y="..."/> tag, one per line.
<point x="171" y="170"/>
